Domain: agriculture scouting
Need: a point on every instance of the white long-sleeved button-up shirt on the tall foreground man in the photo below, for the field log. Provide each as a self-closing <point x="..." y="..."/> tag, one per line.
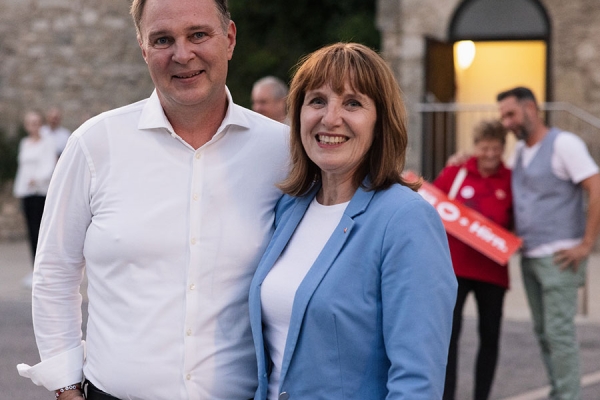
<point x="170" y="238"/>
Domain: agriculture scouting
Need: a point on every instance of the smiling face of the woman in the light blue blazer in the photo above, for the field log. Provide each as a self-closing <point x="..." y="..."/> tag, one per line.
<point x="337" y="129"/>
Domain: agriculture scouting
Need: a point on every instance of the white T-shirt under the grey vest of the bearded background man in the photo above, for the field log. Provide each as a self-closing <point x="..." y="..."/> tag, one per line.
<point x="570" y="161"/>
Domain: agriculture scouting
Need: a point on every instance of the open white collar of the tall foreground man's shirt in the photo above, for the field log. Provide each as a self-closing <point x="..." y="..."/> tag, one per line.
<point x="153" y="115"/>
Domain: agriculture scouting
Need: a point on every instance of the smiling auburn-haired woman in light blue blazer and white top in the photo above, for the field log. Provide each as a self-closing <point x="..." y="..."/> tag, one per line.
<point x="353" y="297"/>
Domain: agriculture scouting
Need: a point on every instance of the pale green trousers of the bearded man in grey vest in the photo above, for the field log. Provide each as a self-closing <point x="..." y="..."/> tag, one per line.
<point x="552" y="297"/>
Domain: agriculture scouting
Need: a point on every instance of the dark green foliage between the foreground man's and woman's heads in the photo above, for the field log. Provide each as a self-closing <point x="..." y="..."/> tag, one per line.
<point x="273" y="34"/>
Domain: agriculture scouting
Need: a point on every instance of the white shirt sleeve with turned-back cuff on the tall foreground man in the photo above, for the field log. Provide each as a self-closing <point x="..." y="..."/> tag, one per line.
<point x="58" y="272"/>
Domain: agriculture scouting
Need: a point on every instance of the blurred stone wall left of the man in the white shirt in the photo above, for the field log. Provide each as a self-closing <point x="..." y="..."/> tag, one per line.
<point x="81" y="55"/>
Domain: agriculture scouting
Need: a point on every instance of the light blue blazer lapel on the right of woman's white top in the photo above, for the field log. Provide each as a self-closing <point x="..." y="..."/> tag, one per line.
<point x="319" y="269"/>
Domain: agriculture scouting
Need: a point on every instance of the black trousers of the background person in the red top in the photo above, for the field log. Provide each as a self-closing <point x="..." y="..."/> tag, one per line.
<point x="489" y="299"/>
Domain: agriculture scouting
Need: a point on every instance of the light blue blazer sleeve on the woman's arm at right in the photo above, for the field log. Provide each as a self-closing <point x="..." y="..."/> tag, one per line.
<point x="418" y="289"/>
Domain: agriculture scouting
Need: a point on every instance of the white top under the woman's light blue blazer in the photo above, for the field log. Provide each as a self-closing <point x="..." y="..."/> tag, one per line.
<point x="279" y="286"/>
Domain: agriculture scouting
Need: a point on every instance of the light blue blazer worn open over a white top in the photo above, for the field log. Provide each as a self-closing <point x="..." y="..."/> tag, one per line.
<point x="372" y="318"/>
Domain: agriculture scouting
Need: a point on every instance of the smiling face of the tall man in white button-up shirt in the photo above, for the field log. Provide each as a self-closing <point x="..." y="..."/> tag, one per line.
<point x="187" y="49"/>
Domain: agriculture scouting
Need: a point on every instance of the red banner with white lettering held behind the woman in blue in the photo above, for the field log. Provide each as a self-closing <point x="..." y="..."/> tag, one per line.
<point x="469" y="226"/>
